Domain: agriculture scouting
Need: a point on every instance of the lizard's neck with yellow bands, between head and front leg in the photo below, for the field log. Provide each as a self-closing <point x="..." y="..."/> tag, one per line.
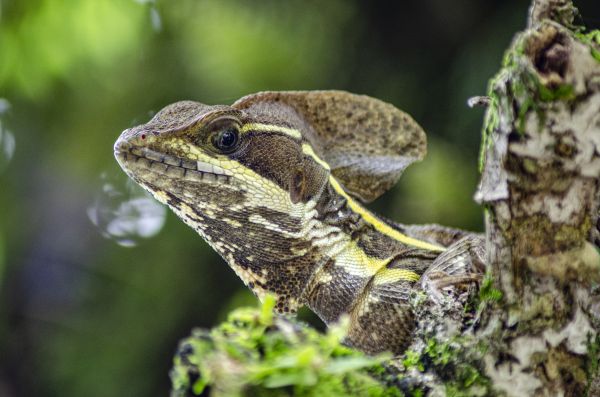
<point x="358" y="259"/>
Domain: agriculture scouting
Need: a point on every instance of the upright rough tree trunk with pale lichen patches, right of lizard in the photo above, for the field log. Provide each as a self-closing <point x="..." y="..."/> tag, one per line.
<point x="540" y="188"/>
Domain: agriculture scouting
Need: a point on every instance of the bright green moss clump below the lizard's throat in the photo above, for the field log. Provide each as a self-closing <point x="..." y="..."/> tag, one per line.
<point x="255" y="353"/>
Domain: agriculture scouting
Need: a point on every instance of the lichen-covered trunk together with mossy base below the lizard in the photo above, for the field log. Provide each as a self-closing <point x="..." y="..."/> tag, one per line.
<point x="532" y="327"/>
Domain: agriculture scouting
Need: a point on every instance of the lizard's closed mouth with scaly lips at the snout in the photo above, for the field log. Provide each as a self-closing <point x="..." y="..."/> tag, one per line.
<point x="136" y="160"/>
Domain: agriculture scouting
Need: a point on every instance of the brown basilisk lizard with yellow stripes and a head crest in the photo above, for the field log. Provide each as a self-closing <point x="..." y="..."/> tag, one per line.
<point x="275" y="184"/>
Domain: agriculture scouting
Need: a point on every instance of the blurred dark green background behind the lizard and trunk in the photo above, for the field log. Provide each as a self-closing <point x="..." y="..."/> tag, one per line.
<point x="82" y="315"/>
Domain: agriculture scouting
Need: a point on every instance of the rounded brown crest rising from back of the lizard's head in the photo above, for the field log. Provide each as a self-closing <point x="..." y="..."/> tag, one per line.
<point x="367" y="143"/>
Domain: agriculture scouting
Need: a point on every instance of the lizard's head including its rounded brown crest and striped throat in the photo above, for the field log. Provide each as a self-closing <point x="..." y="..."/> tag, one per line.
<point x="252" y="177"/>
